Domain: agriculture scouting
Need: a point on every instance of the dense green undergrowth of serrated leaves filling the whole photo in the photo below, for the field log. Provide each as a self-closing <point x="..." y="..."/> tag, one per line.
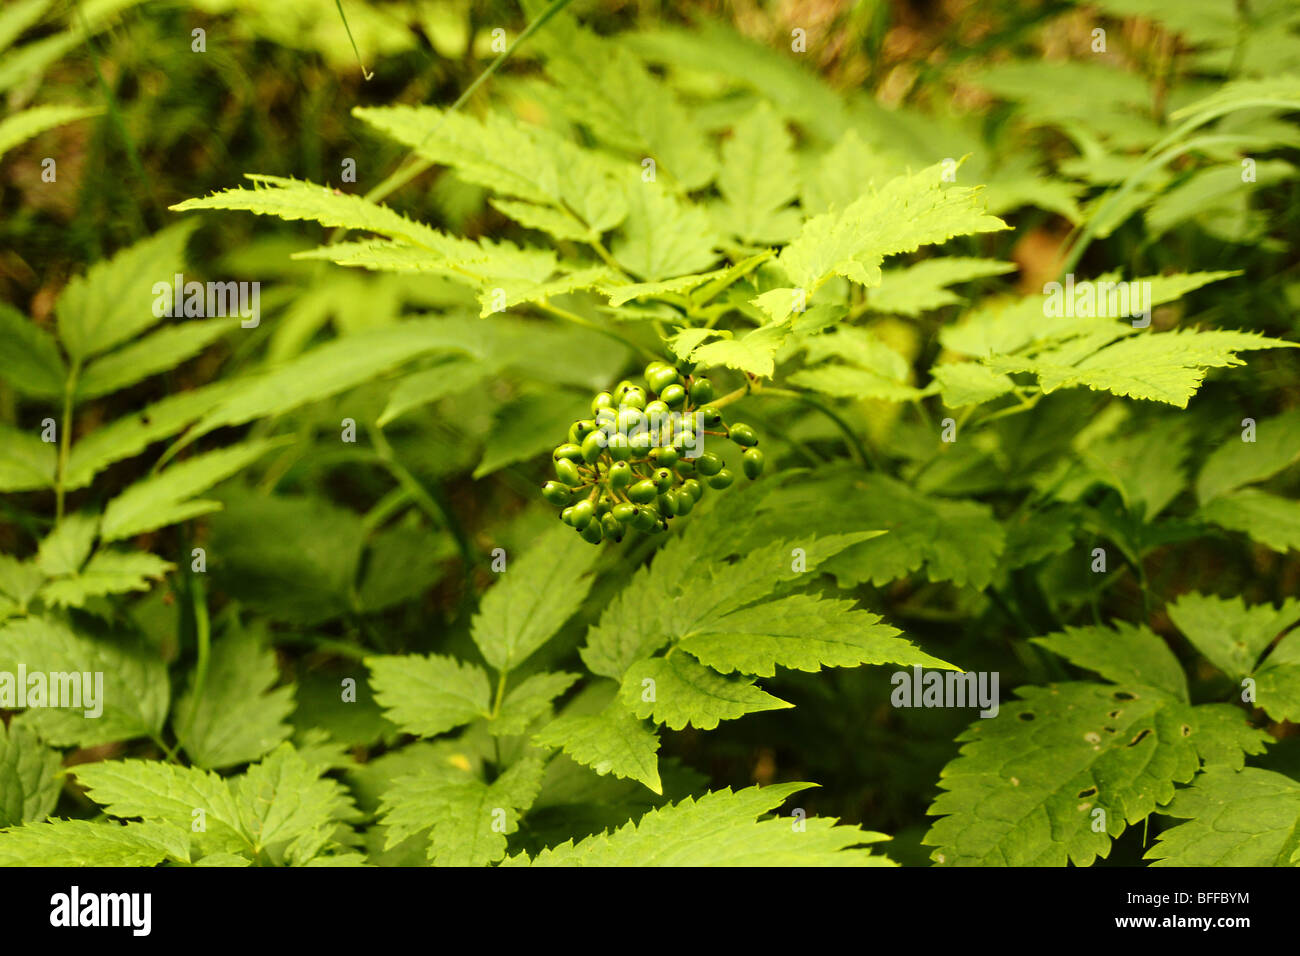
<point x="306" y="546"/>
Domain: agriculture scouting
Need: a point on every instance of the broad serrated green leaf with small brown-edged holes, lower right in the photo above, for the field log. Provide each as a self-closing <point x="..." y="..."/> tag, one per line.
<point x="1026" y="786"/>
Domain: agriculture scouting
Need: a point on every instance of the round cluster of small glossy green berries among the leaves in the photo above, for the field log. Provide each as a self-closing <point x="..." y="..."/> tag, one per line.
<point x="640" y="461"/>
